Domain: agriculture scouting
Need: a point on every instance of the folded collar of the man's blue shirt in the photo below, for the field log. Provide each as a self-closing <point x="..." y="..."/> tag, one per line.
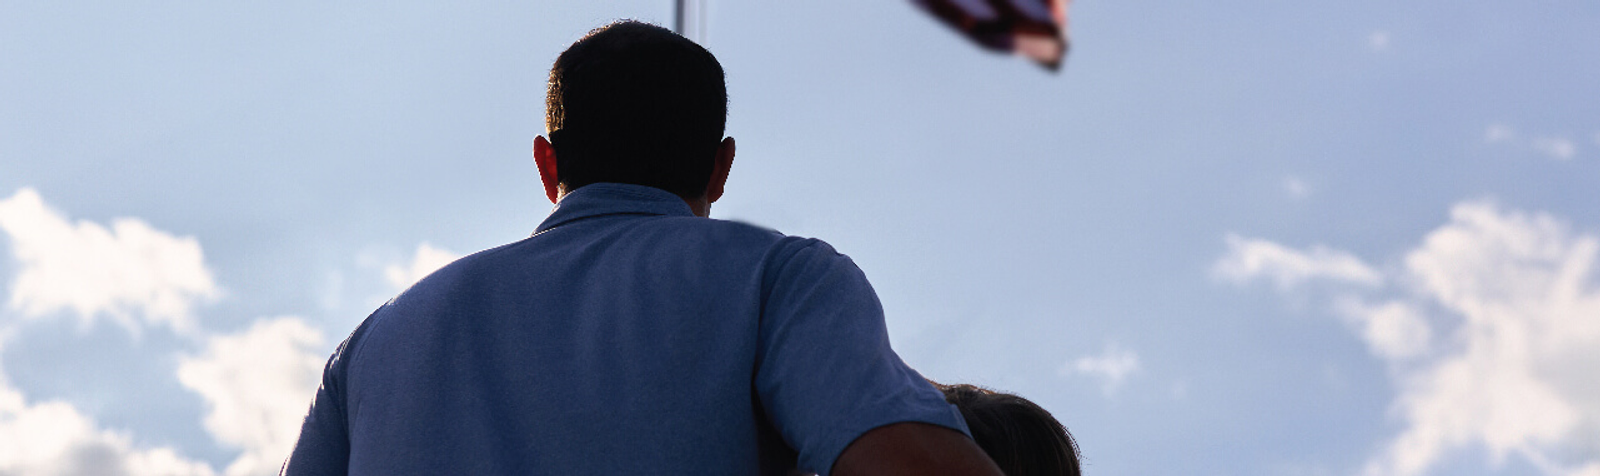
<point x="615" y="199"/>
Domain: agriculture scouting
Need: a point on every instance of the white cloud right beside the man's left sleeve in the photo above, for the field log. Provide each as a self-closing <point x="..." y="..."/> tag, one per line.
<point x="257" y="386"/>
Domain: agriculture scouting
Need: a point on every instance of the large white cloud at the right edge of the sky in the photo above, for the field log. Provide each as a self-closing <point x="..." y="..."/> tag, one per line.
<point x="1510" y="360"/>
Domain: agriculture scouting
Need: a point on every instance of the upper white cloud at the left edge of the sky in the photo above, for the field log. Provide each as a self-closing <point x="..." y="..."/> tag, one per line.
<point x="127" y="272"/>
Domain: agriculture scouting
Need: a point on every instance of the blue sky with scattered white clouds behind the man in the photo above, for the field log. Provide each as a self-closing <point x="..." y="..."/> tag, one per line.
<point x="1226" y="239"/>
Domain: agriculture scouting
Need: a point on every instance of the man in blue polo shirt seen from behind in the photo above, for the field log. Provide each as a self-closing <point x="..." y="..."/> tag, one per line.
<point x="631" y="335"/>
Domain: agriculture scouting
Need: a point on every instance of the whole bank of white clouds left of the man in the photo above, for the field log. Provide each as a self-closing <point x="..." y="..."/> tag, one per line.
<point x="257" y="384"/>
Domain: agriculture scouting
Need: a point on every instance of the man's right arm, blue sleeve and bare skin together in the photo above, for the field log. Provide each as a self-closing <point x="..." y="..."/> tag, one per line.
<point x="836" y="391"/>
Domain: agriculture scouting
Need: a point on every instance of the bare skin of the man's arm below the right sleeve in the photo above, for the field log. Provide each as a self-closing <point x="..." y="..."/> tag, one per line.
<point x="914" y="450"/>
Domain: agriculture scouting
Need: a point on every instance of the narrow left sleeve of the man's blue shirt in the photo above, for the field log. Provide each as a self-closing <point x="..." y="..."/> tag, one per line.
<point x="324" y="446"/>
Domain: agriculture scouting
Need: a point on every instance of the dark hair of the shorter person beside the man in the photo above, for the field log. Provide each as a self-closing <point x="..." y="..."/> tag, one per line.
<point x="1022" y="437"/>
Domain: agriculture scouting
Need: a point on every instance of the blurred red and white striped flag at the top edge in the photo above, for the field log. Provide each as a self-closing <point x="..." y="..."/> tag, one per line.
<point x="1036" y="30"/>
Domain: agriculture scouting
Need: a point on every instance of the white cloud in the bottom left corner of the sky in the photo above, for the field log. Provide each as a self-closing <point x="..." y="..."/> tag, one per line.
<point x="55" y="438"/>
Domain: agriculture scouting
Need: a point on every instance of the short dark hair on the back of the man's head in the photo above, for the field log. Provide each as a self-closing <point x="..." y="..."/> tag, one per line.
<point x="638" y="105"/>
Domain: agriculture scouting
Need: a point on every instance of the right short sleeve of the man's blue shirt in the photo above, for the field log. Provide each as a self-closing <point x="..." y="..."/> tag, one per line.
<point x="825" y="370"/>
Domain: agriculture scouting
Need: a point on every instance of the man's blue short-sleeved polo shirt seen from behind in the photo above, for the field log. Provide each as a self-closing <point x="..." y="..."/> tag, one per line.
<point x="625" y="338"/>
